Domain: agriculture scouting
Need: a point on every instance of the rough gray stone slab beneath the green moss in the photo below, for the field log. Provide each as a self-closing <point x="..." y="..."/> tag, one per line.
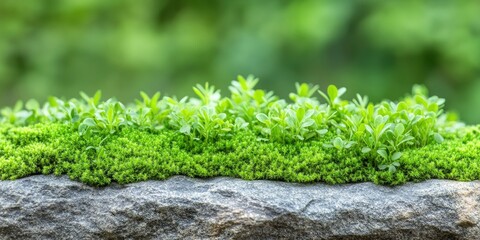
<point x="48" y="207"/>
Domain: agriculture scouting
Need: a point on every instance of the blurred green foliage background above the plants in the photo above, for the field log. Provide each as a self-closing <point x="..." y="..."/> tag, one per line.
<point x="377" y="48"/>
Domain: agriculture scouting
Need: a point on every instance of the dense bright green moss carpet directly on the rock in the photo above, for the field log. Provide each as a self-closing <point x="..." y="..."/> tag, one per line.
<point x="132" y="155"/>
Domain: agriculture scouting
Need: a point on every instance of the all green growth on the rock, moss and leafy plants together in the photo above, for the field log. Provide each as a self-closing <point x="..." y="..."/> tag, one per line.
<point x="252" y="134"/>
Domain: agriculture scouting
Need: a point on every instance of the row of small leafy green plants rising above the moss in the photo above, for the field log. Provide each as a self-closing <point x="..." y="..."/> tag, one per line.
<point x="380" y="134"/>
